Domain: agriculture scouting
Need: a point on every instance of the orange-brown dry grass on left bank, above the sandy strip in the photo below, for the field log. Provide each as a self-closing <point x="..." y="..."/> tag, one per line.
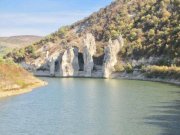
<point x="13" y="76"/>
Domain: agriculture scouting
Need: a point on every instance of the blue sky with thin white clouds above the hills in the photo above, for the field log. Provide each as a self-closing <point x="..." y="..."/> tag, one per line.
<point x="42" y="17"/>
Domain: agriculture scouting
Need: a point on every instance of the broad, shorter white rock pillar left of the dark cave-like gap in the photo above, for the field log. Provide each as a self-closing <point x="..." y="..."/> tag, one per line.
<point x="69" y="64"/>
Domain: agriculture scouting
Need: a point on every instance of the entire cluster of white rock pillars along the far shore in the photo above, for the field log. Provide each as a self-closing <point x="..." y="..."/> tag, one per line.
<point x="66" y="63"/>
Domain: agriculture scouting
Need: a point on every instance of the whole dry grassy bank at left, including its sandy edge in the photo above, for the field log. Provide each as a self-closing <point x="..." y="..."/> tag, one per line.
<point x="15" y="80"/>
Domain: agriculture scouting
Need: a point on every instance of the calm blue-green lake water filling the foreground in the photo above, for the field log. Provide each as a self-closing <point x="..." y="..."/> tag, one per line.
<point x="93" y="107"/>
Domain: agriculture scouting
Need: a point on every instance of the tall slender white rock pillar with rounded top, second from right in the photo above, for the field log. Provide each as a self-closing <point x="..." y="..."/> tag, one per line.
<point x="89" y="50"/>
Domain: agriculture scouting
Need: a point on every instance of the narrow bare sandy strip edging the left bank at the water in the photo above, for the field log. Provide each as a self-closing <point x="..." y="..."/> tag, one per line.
<point x="29" y="88"/>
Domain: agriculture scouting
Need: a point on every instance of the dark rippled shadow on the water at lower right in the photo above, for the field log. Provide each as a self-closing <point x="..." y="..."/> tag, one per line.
<point x="168" y="119"/>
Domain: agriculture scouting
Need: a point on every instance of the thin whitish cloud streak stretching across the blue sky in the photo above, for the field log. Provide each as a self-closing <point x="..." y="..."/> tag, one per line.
<point x="39" y="17"/>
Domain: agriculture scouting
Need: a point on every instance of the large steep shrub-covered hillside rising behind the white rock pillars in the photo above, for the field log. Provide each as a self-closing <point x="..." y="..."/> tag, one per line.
<point x="150" y="29"/>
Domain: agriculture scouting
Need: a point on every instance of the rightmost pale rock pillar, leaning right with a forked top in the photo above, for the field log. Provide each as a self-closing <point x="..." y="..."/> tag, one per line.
<point x="110" y="56"/>
